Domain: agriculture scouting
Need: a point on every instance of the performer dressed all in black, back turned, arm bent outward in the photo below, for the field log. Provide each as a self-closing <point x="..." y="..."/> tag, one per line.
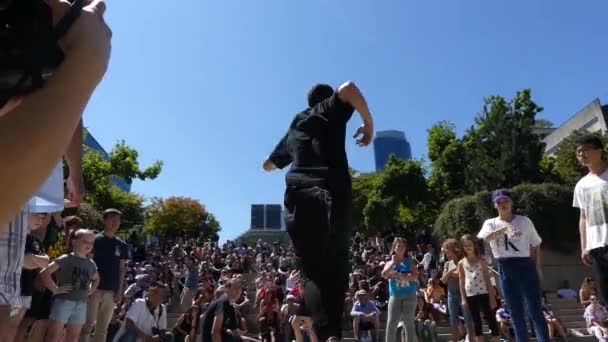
<point x="318" y="198"/>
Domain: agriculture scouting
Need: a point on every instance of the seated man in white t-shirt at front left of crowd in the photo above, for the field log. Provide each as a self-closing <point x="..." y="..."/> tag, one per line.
<point x="147" y="318"/>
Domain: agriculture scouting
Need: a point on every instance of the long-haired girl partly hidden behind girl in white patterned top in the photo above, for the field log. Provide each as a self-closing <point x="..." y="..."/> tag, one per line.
<point x="453" y="252"/>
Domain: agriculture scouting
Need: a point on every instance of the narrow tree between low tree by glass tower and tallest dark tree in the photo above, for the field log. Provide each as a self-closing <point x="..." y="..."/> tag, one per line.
<point x="448" y="162"/>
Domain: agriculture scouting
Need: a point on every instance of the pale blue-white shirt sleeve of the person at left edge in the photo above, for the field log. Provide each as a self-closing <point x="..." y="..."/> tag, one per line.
<point x="49" y="197"/>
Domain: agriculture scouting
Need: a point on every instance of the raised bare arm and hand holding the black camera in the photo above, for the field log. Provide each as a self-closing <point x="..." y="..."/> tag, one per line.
<point x="27" y="159"/>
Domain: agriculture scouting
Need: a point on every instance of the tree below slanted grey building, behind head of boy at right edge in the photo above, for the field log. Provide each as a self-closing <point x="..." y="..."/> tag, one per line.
<point x="566" y="165"/>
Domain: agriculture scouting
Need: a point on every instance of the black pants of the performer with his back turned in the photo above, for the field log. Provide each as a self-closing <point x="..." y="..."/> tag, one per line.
<point x="318" y="221"/>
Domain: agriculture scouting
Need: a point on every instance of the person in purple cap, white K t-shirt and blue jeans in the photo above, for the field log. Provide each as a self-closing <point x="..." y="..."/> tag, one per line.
<point x="516" y="246"/>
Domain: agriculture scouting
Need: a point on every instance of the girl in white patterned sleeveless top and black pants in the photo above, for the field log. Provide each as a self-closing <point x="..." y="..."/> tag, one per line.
<point x="479" y="294"/>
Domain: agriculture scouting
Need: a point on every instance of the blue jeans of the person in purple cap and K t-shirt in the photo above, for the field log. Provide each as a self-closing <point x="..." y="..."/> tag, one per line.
<point x="519" y="282"/>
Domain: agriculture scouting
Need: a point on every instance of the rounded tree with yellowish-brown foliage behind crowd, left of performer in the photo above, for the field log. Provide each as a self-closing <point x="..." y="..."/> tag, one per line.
<point x="179" y="216"/>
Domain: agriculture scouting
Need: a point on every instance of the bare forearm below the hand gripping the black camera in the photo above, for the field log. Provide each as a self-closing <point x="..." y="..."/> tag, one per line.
<point x="52" y="112"/>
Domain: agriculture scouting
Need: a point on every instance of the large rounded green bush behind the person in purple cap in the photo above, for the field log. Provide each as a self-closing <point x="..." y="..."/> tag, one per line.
<point x="549" y="206"/>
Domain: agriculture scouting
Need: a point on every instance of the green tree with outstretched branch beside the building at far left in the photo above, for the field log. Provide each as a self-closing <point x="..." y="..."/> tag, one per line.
<point x="102" y="193"/>
